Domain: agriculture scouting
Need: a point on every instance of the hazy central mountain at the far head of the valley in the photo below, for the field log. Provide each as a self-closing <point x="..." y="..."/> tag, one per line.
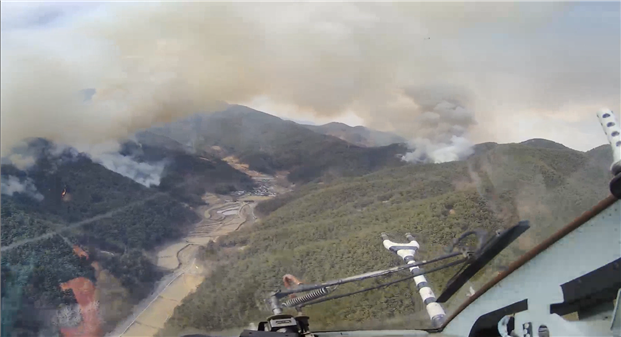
<point x="269" y="144"/>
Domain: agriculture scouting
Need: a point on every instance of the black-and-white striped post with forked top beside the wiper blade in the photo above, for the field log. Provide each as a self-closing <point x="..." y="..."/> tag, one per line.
<point x="406" y="251"/>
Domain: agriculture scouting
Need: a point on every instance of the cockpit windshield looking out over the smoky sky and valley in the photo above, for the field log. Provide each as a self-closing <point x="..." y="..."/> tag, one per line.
<point x="165" y="165"/>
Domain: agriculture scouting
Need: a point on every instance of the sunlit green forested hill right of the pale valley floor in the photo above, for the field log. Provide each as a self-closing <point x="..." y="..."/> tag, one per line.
<point x="326" y="231"/>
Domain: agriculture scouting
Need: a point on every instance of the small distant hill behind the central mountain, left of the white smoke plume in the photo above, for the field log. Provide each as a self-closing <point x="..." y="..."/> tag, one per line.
<point x="357" y="135"/>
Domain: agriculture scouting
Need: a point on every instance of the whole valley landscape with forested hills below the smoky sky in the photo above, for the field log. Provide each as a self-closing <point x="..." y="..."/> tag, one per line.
<point x="171" y="253"/>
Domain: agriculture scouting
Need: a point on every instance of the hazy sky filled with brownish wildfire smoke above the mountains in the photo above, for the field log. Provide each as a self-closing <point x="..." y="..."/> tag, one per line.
<point x="517" y="71"/>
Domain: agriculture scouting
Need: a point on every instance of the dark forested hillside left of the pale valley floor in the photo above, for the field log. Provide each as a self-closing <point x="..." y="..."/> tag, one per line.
<point x="112" y="217"/>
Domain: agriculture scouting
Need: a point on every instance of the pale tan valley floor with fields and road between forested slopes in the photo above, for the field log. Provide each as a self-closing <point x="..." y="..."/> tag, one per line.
<point x="182" y="258"/>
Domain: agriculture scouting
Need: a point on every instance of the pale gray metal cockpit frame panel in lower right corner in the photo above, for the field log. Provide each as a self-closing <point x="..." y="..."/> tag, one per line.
<point x="592" y="245"/>
